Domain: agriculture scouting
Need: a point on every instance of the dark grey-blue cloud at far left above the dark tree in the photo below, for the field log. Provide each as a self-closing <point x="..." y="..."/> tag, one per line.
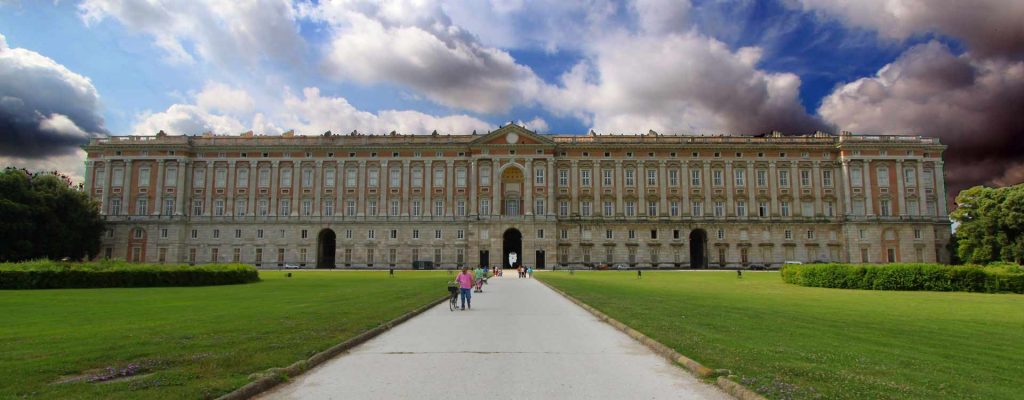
<point x="46" y="109"/>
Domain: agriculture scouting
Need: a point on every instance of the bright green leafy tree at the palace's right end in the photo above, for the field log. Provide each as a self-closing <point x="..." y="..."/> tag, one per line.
<point x="992" y="225"/>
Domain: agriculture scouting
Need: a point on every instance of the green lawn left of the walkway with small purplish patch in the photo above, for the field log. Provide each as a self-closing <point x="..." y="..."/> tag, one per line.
<point x="191" y="342"/>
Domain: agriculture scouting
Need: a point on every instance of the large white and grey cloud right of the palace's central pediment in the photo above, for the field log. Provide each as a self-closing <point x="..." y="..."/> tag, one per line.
<point x="679" y="83"/>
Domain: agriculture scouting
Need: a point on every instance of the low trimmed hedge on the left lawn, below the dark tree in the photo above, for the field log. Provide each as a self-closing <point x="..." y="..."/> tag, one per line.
<point x="56" y="275"/>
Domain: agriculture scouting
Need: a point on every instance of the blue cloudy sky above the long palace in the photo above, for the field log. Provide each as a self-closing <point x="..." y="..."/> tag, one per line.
<point x="71" y="71"/>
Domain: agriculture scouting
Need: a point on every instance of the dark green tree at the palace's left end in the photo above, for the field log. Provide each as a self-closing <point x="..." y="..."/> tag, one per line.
<point x="46" y="216"/>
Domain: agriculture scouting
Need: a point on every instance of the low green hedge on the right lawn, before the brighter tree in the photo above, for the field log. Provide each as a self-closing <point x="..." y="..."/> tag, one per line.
<point x="938" y="278"/>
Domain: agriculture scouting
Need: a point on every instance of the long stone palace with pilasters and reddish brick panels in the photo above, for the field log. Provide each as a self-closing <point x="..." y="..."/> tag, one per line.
<point x="356" y="201"/>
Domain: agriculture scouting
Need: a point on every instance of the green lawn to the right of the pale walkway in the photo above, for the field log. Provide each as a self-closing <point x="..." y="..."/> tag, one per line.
<point x="792" y="342"/>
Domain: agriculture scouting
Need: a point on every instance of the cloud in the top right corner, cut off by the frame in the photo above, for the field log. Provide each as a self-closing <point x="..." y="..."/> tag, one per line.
<point x="989" y="27"/>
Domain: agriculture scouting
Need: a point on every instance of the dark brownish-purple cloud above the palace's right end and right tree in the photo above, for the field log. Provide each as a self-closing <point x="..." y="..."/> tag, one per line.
<point x="972" y="105"/>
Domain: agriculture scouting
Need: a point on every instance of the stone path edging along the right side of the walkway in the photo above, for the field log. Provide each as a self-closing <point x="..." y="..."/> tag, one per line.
<point x="729" y="386"/>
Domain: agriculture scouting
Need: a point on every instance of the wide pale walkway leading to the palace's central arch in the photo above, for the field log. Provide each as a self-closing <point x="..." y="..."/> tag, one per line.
<point x="521" y="341"/>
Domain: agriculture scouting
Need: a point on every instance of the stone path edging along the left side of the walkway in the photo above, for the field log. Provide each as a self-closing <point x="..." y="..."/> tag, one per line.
<point x="274" y="377"/>
